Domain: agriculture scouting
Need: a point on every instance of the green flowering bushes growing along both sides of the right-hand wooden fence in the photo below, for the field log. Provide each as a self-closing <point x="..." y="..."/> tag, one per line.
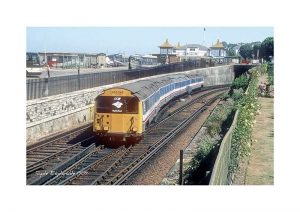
<point x="243" y="97"/>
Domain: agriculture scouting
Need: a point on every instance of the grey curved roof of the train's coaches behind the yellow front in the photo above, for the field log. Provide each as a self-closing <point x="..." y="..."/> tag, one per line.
<point x="144" y="88"/>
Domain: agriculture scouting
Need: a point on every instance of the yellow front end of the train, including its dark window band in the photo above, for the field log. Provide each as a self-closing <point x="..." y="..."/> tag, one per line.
<point x="118" y="116"/>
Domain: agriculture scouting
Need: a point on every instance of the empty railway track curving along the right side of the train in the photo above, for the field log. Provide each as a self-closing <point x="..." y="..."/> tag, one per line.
<point x="118" y="165"/>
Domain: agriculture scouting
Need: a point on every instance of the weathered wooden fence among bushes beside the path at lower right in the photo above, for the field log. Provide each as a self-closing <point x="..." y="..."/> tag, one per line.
<point x="220" y="170"/>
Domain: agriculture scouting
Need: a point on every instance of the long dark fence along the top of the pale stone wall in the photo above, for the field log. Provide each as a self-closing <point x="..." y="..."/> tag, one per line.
<point x="37" y="88"/>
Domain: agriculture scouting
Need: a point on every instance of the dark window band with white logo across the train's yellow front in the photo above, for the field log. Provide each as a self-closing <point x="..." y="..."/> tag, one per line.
<point x="114" y="104"/>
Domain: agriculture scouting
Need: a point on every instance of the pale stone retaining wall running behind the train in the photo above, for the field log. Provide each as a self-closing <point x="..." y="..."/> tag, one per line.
<point x="52" y="114"/>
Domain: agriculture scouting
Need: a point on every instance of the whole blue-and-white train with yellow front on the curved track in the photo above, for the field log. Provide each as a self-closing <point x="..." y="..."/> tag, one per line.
<point x="122" y="113"/>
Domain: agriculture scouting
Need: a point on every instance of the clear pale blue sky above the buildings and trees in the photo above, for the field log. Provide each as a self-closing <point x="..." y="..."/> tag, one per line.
<point x="134" y="40"/>
